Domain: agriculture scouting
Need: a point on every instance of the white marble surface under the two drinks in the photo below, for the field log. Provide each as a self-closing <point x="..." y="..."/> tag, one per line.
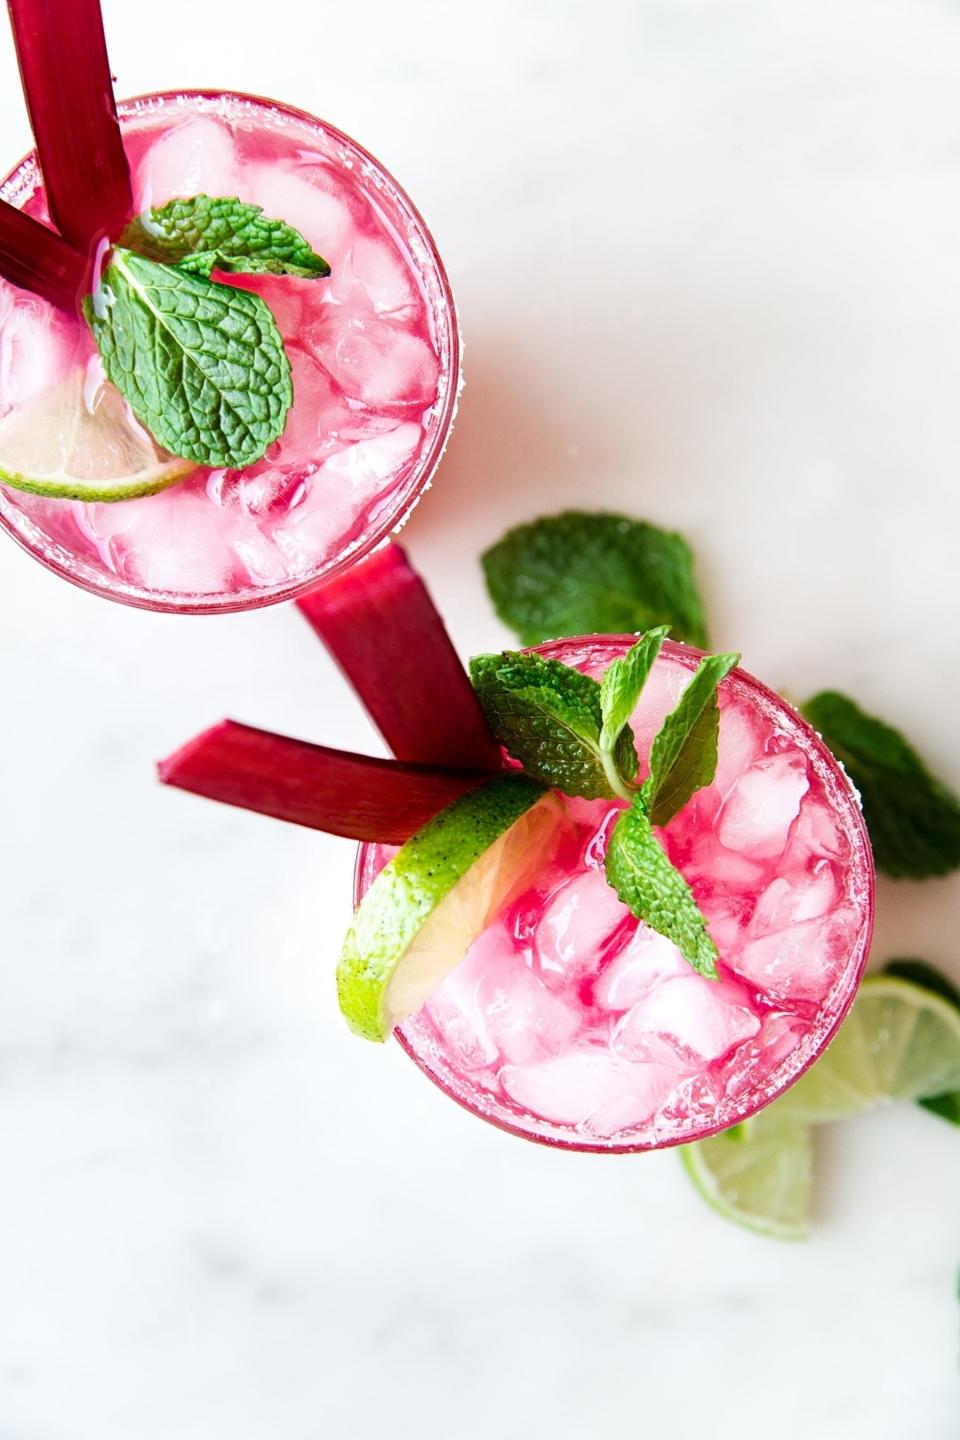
<point x="707" y="261"/>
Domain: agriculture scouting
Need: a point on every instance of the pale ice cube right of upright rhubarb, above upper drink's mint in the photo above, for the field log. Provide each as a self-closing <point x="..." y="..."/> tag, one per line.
<point x="194" y="158"/>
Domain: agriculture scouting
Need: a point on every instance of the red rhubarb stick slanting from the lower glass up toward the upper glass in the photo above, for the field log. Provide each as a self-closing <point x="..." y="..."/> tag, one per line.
<point x="386" y="634"/>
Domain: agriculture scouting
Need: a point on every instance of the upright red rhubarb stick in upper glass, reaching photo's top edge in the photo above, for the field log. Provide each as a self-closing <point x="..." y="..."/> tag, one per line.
<point x="70" y="94"/>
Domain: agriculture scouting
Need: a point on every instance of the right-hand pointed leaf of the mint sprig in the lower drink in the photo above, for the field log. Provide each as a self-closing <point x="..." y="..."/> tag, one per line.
<point x="684" y="754"/>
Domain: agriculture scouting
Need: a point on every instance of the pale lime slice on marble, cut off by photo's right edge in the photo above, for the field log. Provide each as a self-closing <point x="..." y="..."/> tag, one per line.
<point x="899" y="1043"/>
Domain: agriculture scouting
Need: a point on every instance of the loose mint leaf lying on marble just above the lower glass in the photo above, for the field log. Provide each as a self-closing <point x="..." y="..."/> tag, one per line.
<point x="584" y="574"/>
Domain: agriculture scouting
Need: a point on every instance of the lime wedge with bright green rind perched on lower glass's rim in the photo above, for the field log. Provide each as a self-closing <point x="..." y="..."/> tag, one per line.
<point x="438" y="894"/>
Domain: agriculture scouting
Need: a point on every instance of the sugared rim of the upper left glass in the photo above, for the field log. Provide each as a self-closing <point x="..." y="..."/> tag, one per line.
<point x="402" y="503"/>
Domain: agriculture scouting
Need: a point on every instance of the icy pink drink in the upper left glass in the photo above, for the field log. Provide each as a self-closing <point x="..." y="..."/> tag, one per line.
<point x="375" y="355"/>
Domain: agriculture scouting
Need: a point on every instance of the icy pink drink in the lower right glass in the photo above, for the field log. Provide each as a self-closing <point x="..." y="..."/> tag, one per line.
<point x="572" y="1023"/>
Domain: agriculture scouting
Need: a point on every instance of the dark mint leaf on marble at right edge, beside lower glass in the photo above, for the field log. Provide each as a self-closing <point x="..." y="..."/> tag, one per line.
<point x="913" y="820"/>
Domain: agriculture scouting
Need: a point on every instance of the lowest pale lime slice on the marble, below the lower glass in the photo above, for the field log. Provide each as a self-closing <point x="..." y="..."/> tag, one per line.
<point x="758" y="1174"/>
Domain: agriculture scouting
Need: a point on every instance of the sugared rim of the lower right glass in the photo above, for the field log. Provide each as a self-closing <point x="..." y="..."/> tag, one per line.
<point x="846" y="803"/>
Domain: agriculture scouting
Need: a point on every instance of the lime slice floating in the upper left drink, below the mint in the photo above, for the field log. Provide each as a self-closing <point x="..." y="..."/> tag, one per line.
<point x="70" y="449"/>
